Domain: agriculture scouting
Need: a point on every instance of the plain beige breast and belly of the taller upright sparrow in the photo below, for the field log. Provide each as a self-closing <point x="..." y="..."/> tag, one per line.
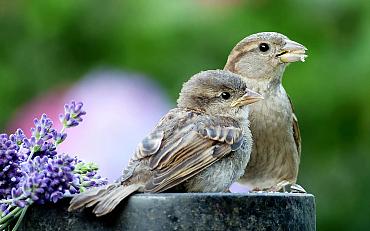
<point x="274" y="155"/>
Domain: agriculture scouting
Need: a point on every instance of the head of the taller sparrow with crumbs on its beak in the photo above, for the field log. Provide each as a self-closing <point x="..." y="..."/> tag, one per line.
<point x="264" y="56"/>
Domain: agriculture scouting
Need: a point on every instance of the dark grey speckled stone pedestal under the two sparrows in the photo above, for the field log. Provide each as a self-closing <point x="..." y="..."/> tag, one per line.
<point x="184" y="211"/>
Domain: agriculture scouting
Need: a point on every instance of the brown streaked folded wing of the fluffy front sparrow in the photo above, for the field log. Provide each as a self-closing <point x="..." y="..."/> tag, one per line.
<point x="189" y="150"/>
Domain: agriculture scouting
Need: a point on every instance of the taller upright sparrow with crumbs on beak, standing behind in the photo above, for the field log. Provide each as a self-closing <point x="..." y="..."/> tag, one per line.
<point x="261" y="60"/>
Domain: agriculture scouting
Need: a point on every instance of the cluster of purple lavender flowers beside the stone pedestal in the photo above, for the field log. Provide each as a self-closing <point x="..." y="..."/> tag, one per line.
<point x="33" y="171"/>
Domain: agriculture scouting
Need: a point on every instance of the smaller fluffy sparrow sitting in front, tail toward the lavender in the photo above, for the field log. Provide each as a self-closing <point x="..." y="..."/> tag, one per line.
<point x="202" y="145"/>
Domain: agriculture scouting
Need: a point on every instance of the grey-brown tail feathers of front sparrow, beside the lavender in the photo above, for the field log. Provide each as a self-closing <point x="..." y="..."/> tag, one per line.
<point x="105" y="198"/>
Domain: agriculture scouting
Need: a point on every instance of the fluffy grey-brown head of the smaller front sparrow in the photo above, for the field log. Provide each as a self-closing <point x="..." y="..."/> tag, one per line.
<point x="217" y="92"/>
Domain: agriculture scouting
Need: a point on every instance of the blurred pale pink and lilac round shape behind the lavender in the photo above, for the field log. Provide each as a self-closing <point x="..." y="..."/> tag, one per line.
<point x="121" y="109"/>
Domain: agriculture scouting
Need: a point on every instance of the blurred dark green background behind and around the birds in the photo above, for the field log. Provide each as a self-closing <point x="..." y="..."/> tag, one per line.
<point x="45" y="44"/>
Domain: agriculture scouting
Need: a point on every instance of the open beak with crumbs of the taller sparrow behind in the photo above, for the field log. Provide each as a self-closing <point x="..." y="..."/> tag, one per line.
<point x="292" y="52"/>
